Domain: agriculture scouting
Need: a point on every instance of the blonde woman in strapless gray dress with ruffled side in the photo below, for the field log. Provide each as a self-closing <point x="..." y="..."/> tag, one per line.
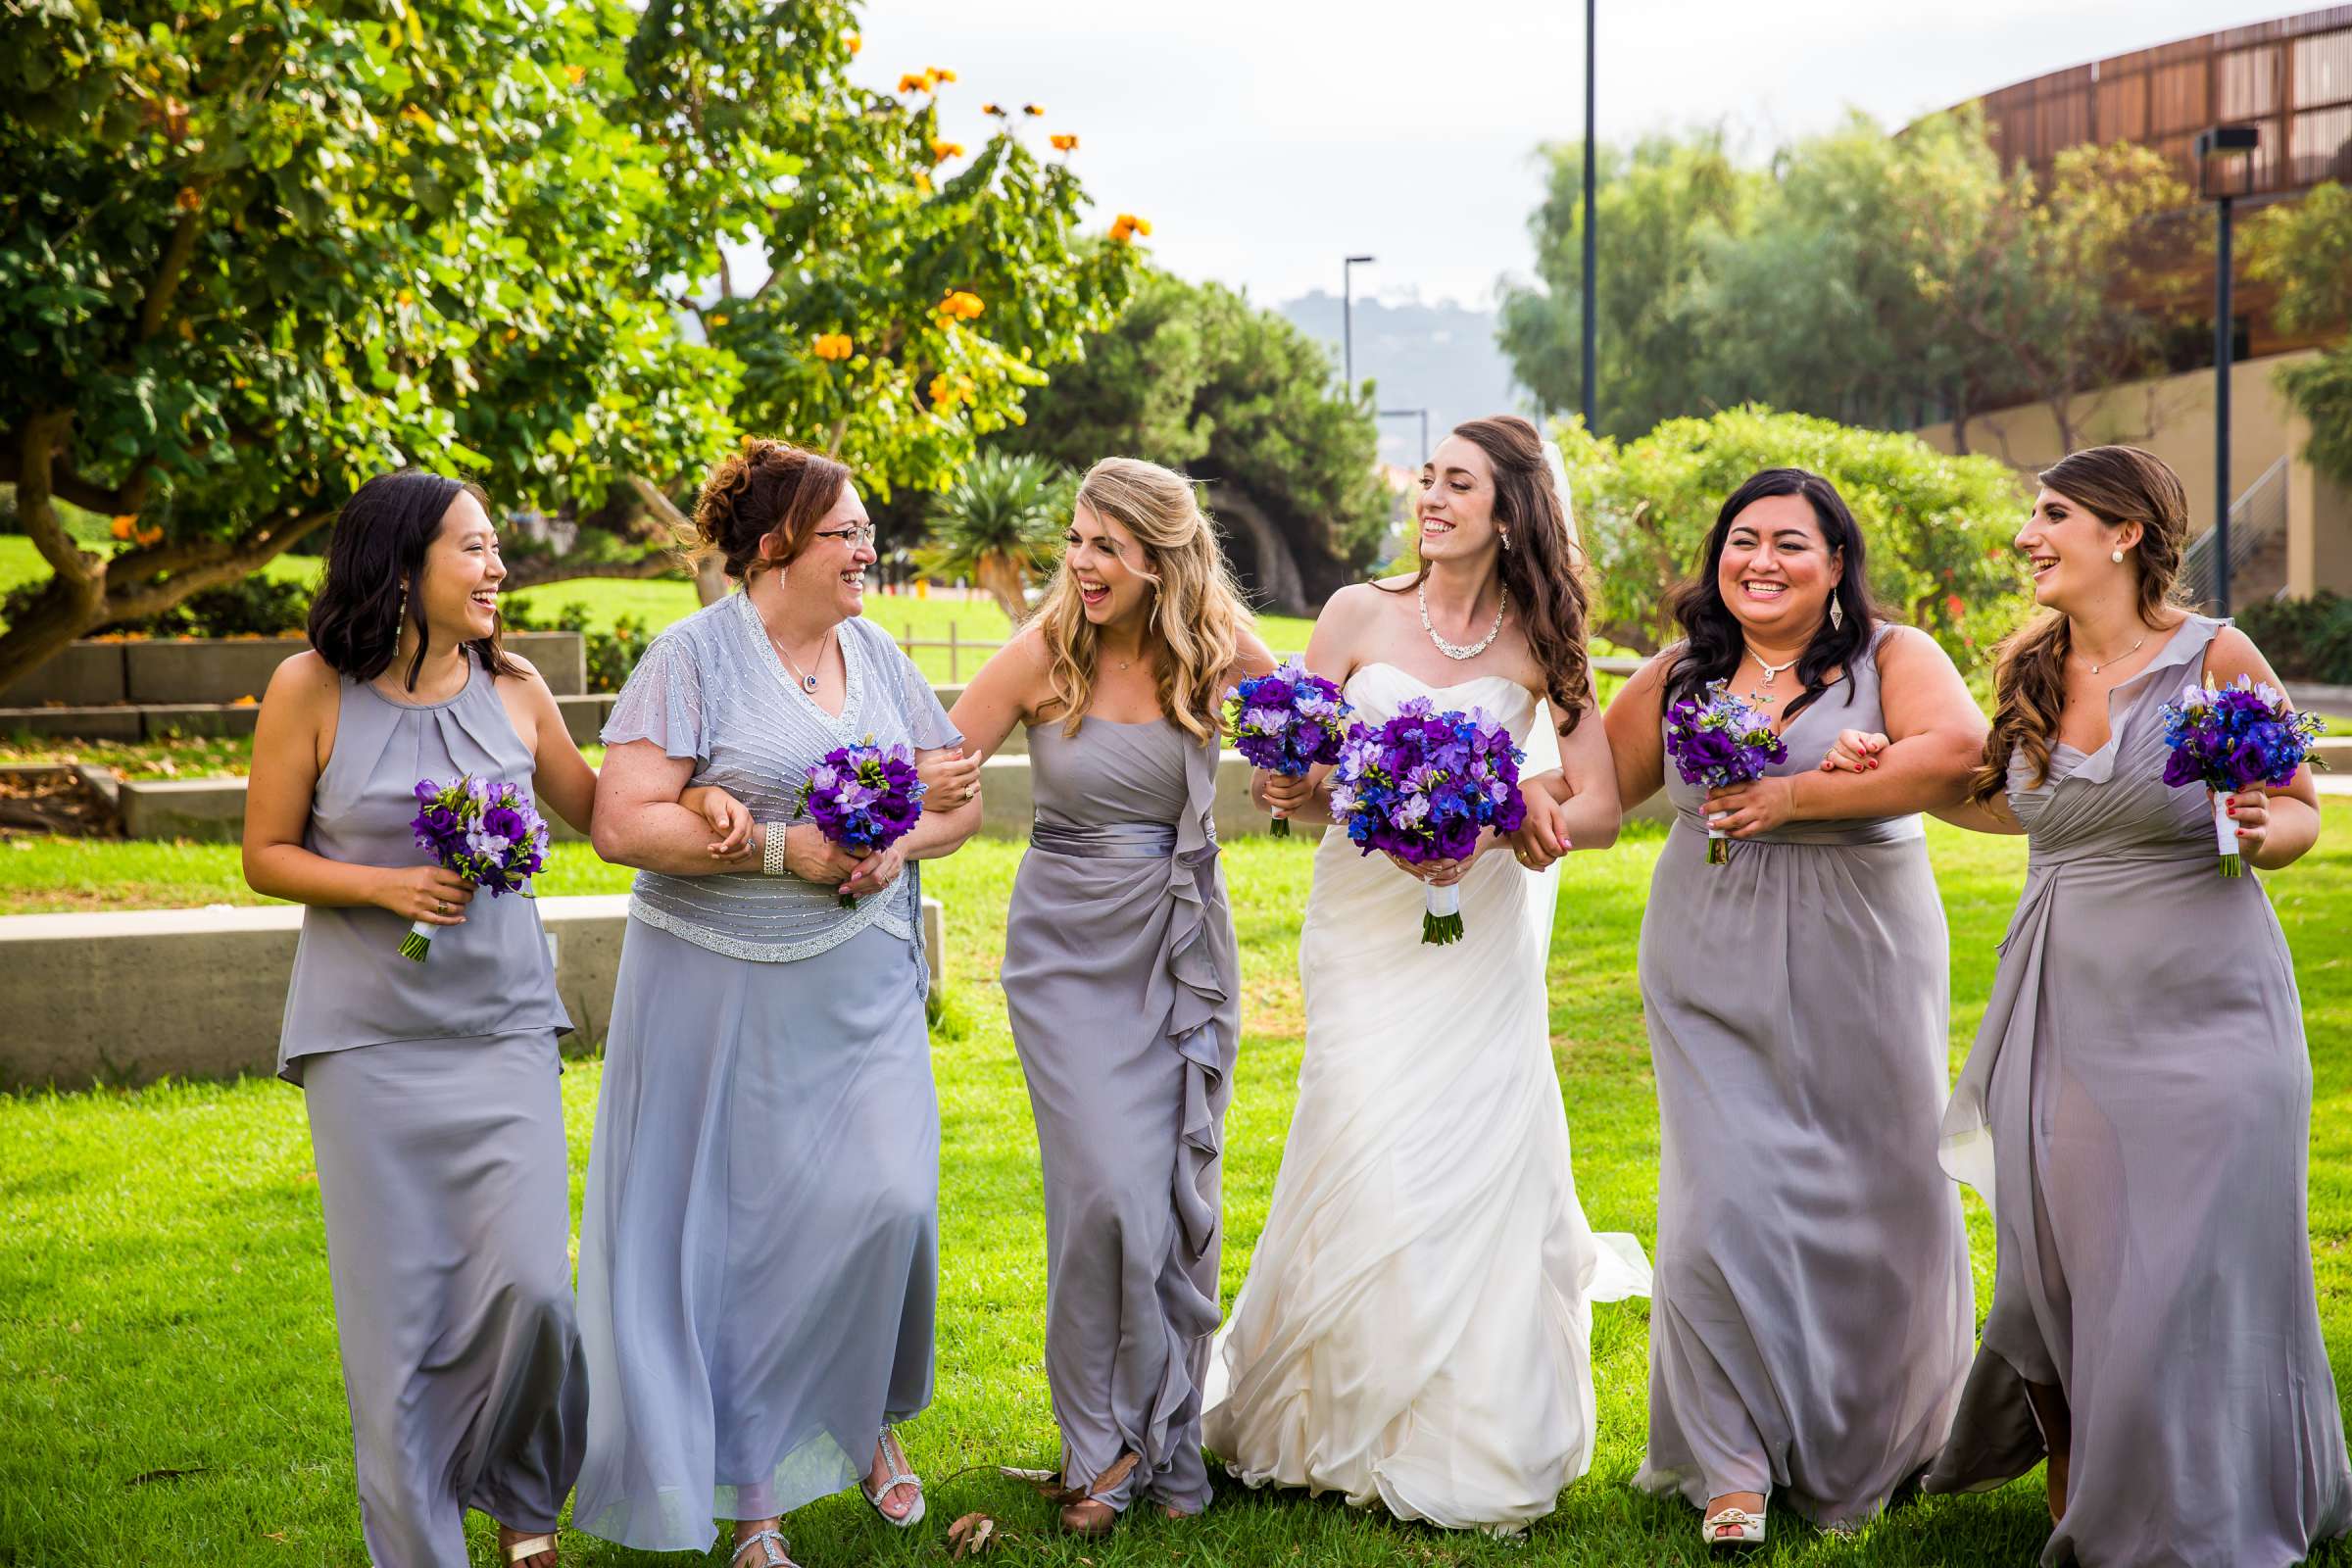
<point x="1121" y="972"/>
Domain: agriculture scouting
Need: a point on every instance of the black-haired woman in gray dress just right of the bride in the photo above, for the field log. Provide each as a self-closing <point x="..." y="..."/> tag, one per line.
<point x="1812" y="1299"/>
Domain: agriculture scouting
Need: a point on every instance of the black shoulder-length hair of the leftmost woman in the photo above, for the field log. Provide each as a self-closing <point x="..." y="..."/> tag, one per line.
<point x="373" y="565"/>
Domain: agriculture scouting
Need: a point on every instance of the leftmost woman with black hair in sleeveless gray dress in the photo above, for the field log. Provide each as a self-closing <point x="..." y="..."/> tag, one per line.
<point x="432" y="1087"/>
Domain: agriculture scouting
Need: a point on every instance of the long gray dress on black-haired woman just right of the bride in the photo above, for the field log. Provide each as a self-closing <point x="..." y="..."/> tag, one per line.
<point x="1812" y="1308"/>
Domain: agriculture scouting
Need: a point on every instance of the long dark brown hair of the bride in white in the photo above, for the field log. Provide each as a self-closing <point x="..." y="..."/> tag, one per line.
<point x="1542" y="568"/>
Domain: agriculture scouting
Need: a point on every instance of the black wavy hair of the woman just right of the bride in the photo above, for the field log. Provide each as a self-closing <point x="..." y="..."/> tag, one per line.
<point x="1711" y="636"/>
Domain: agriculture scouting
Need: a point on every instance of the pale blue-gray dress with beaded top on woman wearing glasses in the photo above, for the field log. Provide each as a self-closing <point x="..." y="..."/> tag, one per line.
<point x="761" y="1231"/>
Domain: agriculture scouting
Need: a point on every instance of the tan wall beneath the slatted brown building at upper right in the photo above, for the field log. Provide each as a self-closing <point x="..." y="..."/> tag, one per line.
<point x="2174" y="420"/>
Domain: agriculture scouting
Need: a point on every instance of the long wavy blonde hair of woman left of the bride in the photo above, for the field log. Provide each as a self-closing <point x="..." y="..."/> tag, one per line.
<point x="1196" y="619"/>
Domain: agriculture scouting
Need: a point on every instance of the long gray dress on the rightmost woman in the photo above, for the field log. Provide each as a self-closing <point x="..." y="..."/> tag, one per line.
<point x="2137" y="1113"/>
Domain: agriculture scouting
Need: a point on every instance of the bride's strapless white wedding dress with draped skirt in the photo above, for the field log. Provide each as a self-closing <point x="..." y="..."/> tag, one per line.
<point x="1417" y="1320"/>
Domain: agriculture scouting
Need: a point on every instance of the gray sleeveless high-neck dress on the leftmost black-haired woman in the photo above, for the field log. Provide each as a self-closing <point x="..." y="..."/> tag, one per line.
<point x="441" y="1153"/>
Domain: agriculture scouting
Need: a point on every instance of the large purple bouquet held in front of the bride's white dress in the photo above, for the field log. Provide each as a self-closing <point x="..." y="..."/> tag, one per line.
<point x="1422" y="789"/>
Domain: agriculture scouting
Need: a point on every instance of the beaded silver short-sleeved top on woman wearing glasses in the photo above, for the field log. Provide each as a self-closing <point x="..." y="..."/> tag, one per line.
<point x="714" y="690"/>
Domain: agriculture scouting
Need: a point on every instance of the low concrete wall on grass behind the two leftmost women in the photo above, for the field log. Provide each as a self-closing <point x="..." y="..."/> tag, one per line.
<point x="131" y="998"/>
